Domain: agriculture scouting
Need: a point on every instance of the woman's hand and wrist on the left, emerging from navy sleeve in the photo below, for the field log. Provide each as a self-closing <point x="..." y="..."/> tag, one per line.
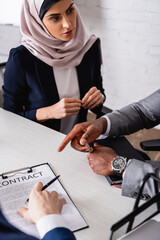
<point x="64" y="108"/>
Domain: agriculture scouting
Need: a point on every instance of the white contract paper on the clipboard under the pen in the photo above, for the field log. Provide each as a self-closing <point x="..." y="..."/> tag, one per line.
<point x="15" y="188"/>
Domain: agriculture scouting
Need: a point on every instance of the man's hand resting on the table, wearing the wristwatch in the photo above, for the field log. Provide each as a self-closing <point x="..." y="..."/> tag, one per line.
<point x="100" y="160"/>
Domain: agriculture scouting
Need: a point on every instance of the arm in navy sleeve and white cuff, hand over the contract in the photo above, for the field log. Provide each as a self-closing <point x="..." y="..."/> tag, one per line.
<point x="44" y="210"/>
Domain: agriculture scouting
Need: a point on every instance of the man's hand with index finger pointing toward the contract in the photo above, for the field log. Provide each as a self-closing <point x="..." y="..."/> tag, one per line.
<point x="84" y="133"/>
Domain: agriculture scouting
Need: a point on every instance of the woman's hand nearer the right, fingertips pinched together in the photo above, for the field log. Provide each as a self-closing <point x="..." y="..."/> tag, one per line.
<point x="92" y="98"/>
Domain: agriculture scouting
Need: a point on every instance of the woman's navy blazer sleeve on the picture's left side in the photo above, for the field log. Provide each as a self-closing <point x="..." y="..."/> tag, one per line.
<point x="15" y="87"/>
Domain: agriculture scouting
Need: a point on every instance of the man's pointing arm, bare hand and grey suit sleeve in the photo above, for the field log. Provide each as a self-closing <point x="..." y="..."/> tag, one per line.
<point x="136" y="116"/>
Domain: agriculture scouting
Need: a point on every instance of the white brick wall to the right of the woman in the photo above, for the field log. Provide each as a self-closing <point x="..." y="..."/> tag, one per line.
<point x="130" y="35"/>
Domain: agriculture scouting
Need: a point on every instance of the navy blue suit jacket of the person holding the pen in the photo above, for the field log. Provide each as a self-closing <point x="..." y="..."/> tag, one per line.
<point x="9" y="232"/>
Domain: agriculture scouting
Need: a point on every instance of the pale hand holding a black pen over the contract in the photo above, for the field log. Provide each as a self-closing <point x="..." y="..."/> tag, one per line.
<point x="41" y="203"/>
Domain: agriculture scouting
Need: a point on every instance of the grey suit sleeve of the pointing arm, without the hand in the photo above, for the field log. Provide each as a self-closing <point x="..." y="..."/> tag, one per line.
<point x="136" y="116"/>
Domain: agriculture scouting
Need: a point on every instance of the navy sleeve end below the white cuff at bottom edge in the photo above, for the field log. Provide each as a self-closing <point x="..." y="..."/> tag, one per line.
<point x="59" y="234"/>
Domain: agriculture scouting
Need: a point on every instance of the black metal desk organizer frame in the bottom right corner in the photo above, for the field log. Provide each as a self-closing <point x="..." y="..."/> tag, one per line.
<point x="130" y="218"/>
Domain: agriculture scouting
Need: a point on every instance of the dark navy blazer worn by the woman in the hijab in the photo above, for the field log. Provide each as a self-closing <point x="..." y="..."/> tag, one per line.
<point x="29" y="83"/>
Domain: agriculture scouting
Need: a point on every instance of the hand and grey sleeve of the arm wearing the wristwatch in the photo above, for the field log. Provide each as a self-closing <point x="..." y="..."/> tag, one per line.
<point x="100" y="161"/>
